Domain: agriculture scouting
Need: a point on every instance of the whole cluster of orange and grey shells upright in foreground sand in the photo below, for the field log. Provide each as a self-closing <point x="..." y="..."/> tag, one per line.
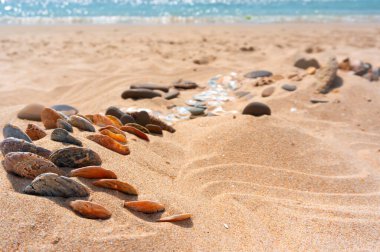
<point x="48" y="170"/>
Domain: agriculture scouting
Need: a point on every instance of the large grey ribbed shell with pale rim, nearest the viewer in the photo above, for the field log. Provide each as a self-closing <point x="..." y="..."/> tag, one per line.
<point x="50" y="184"/>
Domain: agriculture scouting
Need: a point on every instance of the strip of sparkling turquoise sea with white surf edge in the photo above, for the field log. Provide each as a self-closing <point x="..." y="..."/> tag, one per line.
<point x="187" y="11"/>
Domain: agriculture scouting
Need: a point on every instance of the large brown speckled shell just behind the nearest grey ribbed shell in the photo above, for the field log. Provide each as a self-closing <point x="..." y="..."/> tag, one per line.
<point x="28" y="165"/>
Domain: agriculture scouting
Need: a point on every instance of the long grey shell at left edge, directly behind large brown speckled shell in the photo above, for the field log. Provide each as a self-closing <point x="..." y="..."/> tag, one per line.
<point x="12" y="144"/>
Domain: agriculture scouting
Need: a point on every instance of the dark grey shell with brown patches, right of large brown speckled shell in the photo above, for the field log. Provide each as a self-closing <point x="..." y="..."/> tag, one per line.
<point x="75" y="157"/>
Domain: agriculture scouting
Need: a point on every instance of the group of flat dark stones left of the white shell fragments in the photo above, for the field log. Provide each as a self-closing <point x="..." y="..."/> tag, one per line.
<point x="148" y="91"/>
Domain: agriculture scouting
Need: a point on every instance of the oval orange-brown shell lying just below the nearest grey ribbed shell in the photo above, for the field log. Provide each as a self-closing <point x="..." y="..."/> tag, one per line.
<point x="90" y="209"/>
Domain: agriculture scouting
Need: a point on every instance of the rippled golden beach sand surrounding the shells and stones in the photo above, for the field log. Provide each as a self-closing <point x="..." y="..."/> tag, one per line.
<point x="305" y="178"/>
